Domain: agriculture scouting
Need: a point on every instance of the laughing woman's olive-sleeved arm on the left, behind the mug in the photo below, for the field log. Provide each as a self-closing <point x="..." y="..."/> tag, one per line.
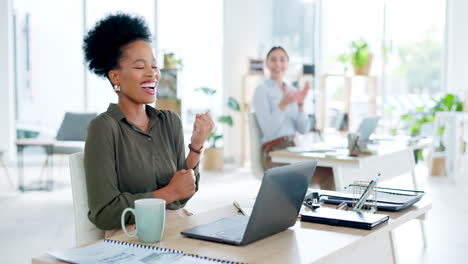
<point x="105" y="200"/>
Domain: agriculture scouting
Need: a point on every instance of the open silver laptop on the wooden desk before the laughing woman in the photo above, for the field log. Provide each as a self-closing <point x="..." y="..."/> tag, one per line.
<point x="276" y="208"/>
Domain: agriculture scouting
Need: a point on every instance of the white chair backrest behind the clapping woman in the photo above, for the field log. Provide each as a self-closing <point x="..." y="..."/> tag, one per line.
<point x="255" y="146"/>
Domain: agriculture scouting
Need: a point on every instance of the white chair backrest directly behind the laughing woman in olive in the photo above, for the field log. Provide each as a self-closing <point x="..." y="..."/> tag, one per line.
<point x="85" y="231"/>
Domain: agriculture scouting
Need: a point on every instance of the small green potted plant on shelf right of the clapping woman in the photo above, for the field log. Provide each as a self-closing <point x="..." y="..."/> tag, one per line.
<point x="361" y="59"/>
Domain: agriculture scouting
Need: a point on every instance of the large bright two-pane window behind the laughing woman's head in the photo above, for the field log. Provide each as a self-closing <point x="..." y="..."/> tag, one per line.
<point x="50" y="77"/>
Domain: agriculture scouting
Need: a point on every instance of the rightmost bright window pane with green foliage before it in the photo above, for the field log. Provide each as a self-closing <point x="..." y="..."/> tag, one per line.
<point x="415" y="46"/>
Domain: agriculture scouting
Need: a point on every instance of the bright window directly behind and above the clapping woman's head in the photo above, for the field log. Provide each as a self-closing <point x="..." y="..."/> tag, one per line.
<point x="291" y="24"/>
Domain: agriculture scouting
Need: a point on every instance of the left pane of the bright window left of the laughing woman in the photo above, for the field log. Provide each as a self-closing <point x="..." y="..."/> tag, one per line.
<point x="48" y="62"/>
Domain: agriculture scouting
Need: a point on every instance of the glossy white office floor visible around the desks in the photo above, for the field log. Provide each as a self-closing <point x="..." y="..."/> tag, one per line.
<point x="34" y="222"/>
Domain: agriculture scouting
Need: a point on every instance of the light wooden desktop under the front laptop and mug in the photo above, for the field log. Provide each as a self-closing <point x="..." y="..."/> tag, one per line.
<point x="302" y="243"/>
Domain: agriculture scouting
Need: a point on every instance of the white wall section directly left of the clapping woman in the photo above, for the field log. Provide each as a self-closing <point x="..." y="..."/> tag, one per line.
<point x="245" y="29"/>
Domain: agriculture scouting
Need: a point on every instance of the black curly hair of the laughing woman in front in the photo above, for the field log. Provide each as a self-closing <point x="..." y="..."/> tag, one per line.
<point x="103" y="44"/>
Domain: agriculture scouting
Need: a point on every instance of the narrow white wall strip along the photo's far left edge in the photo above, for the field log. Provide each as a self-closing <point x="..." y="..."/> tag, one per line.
<point x="7" y="136"/>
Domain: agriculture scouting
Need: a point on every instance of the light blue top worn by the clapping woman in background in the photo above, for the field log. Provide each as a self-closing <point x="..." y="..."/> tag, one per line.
<point x="273" y="122"/>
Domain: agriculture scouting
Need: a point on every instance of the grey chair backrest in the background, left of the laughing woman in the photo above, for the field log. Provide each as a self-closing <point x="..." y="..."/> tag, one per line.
<point x="74" y="126"/>
